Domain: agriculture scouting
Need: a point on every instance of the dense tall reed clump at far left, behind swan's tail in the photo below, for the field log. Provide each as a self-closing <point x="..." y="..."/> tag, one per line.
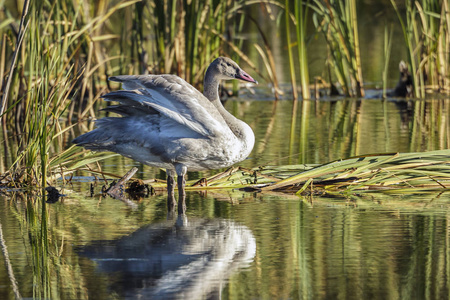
<point x="52" y="69"/>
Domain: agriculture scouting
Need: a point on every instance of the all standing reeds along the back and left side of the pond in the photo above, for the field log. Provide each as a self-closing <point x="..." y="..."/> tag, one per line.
<point x="55" y="63"/>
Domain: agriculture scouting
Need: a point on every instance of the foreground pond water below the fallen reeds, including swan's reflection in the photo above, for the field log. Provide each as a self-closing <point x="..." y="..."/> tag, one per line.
<point x="238" y="245"/>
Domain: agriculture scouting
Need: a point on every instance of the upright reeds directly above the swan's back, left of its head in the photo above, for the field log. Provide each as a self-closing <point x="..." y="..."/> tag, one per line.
<point x="187" y="35"/>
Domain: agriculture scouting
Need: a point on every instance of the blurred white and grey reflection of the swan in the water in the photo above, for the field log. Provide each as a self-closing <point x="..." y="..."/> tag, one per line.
<point x="180" y="258"/>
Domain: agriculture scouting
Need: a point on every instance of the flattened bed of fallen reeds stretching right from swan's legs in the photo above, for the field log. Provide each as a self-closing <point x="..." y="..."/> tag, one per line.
<point x="390" y="172"/>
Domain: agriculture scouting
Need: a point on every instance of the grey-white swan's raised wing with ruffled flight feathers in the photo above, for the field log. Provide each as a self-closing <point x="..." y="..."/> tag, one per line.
<point x="172" y="97"/>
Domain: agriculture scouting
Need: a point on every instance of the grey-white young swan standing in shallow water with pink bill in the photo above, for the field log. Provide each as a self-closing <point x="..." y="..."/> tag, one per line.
<point x="166" y="123"/>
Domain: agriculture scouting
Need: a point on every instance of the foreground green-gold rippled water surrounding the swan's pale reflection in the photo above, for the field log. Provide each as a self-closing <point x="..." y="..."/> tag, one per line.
<point x="382" y="246"/>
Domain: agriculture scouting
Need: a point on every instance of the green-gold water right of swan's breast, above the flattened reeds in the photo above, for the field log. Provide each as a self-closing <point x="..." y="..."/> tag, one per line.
<point x="322" y="131"/>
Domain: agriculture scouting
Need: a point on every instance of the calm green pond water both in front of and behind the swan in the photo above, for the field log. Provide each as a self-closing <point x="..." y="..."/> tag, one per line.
<point x="237" y="245"/>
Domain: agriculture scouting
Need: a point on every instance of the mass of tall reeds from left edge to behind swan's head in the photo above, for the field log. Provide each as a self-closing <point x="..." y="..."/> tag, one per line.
<point x="69" y="48"/>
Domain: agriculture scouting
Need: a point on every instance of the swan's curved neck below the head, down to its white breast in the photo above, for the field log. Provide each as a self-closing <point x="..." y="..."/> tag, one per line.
<point x="240" y="129"/>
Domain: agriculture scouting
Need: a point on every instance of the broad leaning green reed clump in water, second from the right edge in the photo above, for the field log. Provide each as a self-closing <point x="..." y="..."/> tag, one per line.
<point x="337" y="20"/>
